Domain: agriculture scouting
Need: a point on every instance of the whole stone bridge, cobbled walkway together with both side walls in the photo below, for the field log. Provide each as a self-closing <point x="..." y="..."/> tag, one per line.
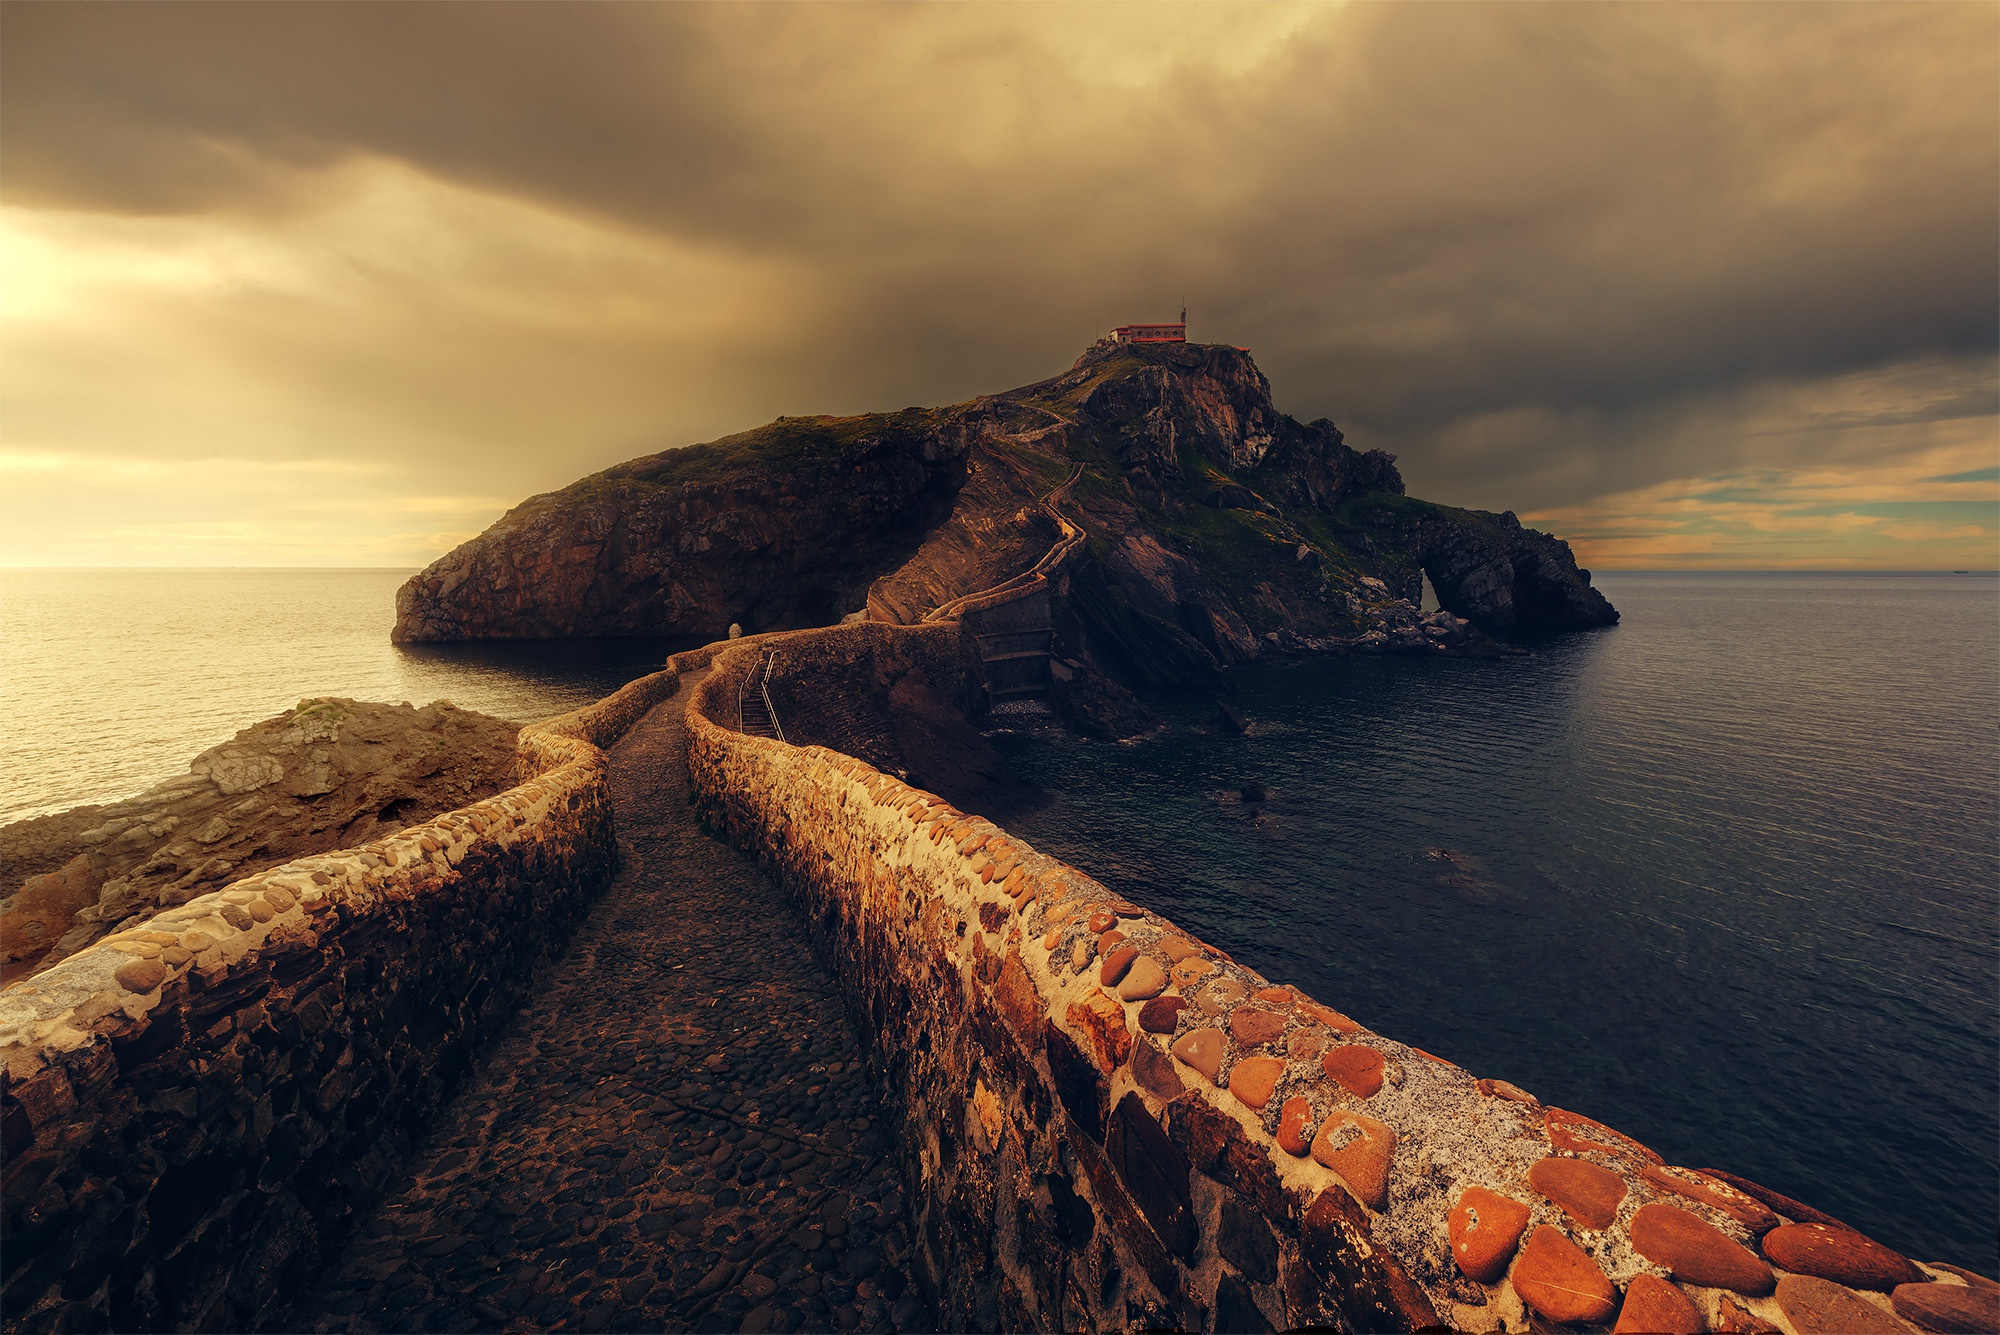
<point x="567" y="1060"/>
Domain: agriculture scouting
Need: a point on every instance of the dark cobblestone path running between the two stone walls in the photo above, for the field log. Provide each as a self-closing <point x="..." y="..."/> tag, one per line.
<point x="675" y="1134"/>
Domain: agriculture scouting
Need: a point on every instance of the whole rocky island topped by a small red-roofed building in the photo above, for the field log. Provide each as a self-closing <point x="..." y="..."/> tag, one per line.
<point x="1219" y="529"/>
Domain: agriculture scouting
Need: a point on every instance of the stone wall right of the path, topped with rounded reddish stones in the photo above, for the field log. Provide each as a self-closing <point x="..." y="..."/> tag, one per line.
<point x="1115" y="1126"/>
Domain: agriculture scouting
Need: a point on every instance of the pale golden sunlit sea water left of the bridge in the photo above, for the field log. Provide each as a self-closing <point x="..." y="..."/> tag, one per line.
<point x="113" y="680"/>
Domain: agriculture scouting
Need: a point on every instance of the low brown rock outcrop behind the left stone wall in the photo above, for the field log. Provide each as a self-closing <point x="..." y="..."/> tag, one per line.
<point x="323" y="776"/>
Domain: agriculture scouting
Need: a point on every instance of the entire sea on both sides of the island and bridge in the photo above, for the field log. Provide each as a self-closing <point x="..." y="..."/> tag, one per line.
<point x="1725" y="876"/>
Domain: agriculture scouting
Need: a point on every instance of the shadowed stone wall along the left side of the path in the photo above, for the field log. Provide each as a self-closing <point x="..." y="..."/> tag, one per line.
<point x="195" y="1110"/>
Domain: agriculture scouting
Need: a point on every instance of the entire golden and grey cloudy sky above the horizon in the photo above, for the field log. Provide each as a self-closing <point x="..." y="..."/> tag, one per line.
<point x="337" y="285"/>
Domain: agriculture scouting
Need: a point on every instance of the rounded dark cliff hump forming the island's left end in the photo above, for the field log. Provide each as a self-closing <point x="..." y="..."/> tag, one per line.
<point x="775" y="529"/>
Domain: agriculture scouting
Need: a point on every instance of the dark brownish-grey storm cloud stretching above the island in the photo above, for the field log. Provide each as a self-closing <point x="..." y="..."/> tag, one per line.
<point x="1527" y="247"/>
